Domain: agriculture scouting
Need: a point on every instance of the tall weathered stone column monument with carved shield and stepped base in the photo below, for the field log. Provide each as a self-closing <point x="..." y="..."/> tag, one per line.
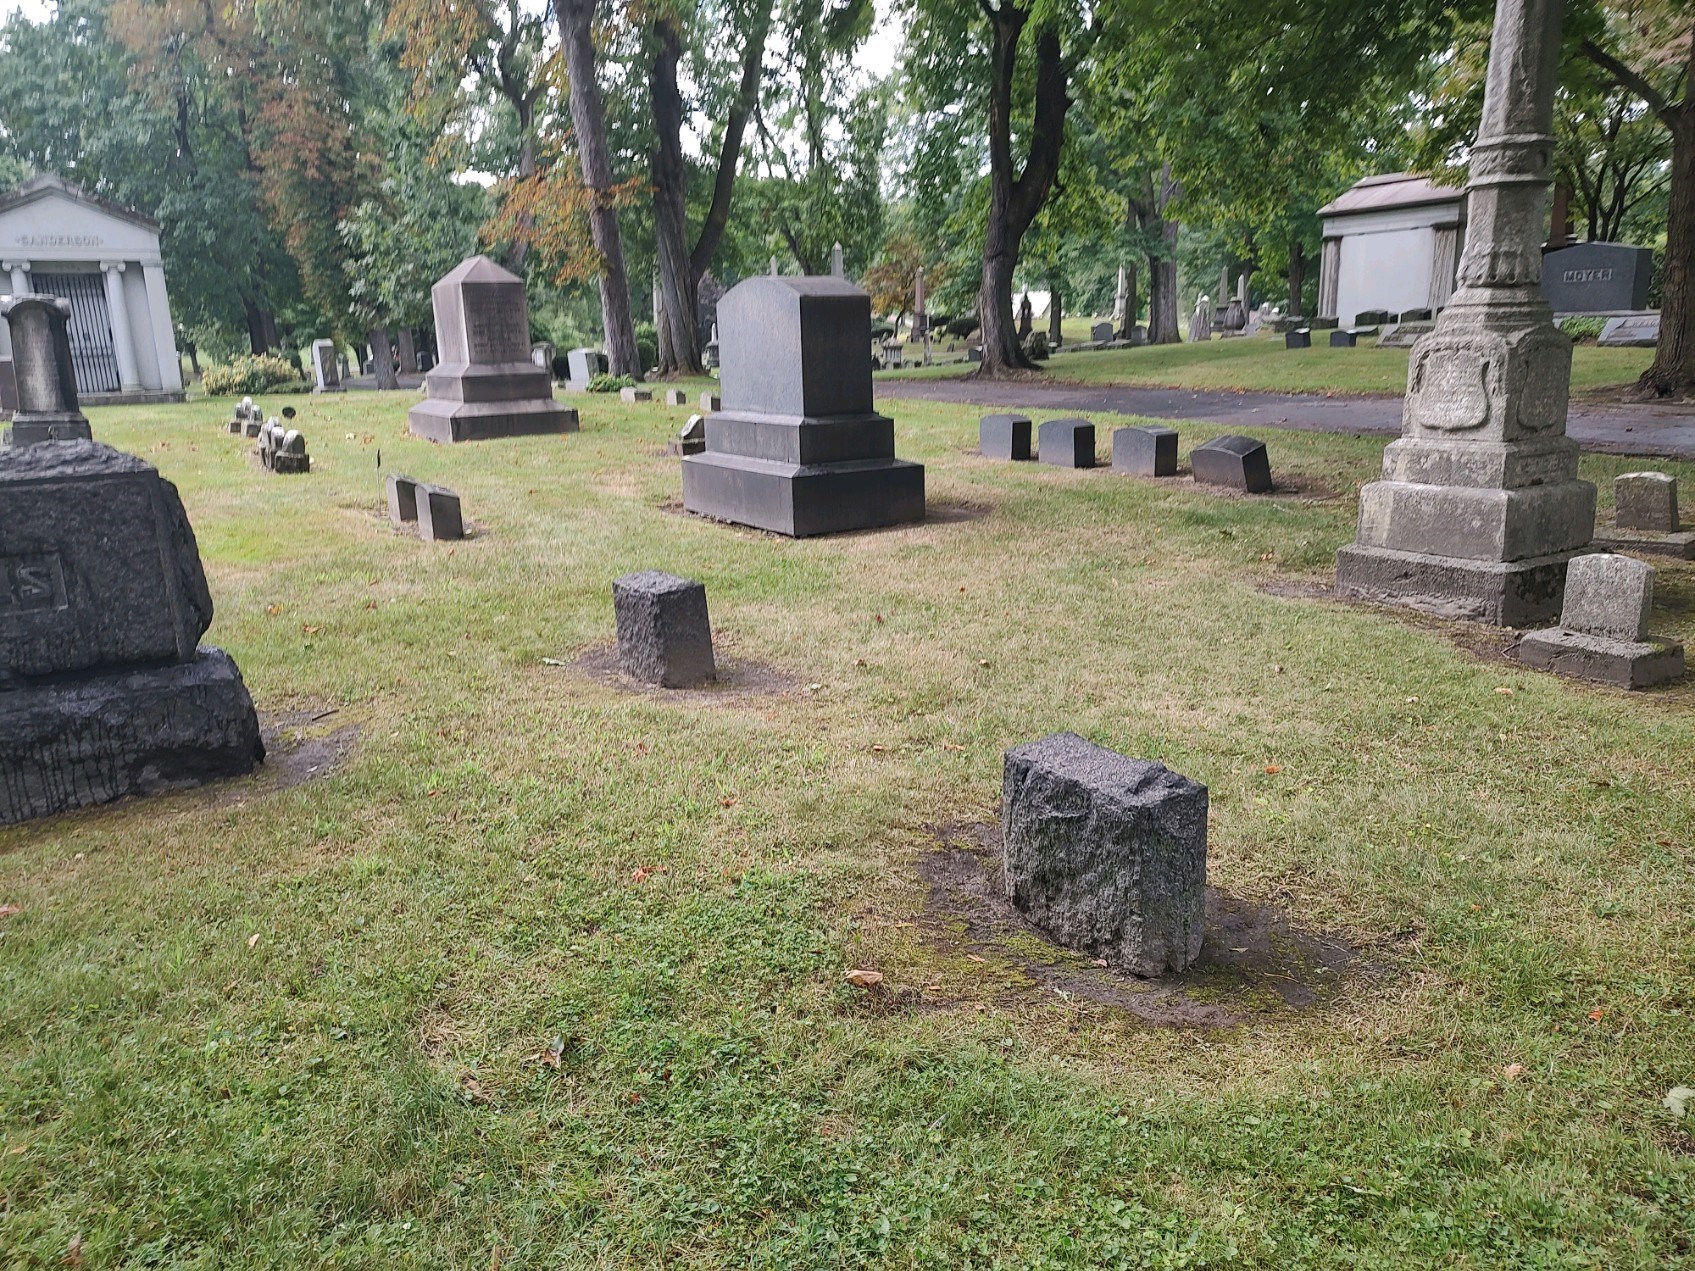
<point x="1481" y="508"/>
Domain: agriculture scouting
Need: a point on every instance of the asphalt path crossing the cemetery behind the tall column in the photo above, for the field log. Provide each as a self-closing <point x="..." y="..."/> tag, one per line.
<point x="1664" y="431"/>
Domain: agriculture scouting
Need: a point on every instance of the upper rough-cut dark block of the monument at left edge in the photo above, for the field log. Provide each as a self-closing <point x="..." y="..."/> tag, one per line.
<point x="99" y="567"/>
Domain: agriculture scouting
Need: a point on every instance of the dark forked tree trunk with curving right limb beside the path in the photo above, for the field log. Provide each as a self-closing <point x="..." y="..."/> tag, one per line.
<point x="1016" y="203"/>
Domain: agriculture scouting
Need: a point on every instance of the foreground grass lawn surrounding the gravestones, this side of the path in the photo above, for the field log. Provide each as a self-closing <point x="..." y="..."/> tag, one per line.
<point x="506" y="963"/>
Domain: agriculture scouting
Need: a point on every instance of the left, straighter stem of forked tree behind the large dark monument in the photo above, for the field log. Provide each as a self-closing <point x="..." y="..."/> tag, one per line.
<point x="679" y="313"/>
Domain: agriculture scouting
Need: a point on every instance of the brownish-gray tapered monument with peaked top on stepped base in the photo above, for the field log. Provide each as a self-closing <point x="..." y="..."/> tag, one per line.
<point x="486" y="384"/>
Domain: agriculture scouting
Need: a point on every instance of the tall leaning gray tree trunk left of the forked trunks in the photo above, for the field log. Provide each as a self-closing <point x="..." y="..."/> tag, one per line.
<point x="589" y="123"/>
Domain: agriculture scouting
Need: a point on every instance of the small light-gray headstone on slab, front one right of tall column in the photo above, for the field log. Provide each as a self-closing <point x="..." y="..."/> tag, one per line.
<point x="1603" y="631"/>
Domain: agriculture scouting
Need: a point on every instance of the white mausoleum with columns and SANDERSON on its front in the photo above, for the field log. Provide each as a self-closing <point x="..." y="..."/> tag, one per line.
<point x="106" y="262"/>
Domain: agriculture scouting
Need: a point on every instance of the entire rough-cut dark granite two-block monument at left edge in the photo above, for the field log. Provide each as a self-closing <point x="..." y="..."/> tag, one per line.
<point x="104" y="687"/>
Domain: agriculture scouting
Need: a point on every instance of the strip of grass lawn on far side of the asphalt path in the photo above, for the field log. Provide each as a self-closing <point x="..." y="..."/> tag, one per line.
<point x="1262" y="364"/>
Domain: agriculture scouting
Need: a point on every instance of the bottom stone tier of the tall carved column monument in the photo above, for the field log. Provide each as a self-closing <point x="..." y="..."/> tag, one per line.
<point x="1506" y="594"/>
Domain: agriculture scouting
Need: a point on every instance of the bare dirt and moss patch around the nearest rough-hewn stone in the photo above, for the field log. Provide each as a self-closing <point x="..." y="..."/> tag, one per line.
<point x="1253" y="960"/>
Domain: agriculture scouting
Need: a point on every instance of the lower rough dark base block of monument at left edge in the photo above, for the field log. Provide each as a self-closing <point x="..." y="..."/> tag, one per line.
<point x="130" y="733"/>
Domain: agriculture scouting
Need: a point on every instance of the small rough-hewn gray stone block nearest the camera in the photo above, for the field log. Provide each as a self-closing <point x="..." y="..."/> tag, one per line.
<point x="1104" y="853"/>
